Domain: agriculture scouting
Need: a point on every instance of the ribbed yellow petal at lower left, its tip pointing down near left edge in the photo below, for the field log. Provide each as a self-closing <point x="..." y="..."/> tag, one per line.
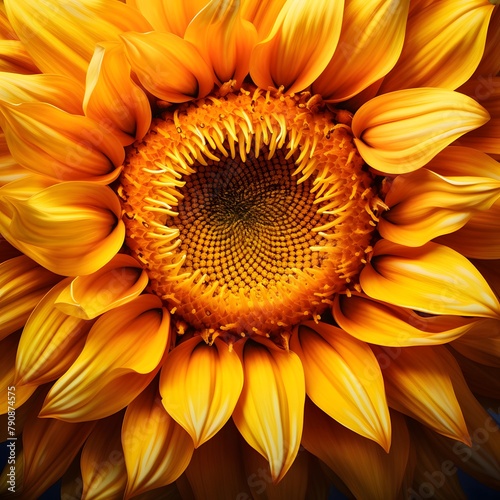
<point x="50" y="342"/>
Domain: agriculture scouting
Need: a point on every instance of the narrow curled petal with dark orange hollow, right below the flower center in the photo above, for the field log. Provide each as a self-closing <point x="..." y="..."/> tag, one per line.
<point x="385" y="324"/>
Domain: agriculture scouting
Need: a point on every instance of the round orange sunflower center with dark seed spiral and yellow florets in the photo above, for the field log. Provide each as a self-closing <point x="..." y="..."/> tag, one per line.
<point x="249" y="210"/>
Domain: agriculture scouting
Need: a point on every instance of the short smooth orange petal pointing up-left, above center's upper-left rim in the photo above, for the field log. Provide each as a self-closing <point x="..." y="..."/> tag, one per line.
<point x="168" y="66"/>
